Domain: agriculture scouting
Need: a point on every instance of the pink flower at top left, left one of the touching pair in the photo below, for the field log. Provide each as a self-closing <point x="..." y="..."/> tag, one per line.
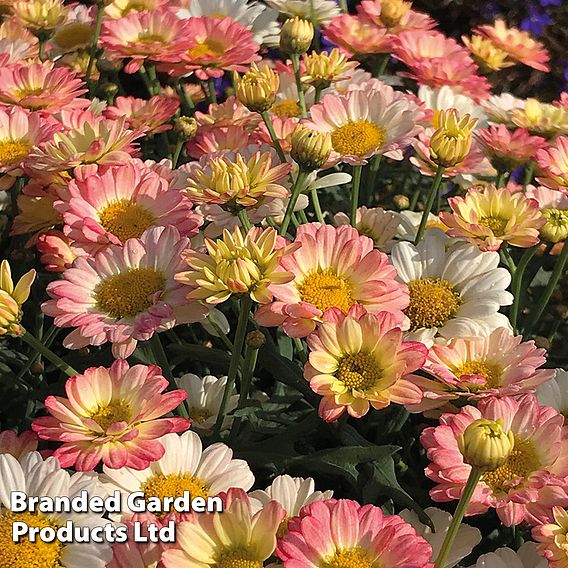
<point x="157" y="35"/>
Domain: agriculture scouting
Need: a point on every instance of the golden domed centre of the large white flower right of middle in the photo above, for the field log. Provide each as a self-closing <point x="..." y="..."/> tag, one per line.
<point x="433" y="301"/>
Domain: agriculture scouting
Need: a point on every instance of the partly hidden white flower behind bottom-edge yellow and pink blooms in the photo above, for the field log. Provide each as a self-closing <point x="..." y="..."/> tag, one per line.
<point x="292" y="493"/>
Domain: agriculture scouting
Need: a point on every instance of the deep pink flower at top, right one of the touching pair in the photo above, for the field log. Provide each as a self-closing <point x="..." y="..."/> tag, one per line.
<point x="216" y="45"/>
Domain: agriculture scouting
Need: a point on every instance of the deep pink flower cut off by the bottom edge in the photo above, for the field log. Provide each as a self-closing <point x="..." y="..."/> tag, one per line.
<point x="342" y="532"/>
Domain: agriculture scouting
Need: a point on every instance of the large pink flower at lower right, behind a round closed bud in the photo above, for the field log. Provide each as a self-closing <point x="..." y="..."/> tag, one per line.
<point x="533" y="478"/>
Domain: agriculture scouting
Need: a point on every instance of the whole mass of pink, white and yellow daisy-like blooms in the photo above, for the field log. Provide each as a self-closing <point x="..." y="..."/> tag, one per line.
<point x="149" y="213"/>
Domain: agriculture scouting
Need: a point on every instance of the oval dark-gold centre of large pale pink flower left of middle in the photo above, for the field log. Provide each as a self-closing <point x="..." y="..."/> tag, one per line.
<point x="130" y="293"/>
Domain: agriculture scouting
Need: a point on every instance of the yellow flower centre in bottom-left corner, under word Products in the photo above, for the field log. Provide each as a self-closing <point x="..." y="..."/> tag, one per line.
<point x="26" y="554"/>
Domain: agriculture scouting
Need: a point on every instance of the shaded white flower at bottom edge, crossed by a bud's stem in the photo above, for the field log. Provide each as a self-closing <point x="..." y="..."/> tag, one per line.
<point x="466" y="539"/>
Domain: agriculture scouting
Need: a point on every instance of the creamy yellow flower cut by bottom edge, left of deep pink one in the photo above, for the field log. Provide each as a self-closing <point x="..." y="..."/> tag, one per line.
<point x="235" y="537"/>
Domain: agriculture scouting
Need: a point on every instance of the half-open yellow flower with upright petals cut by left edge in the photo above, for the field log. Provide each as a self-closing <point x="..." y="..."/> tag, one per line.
<point x="12" y="299"/>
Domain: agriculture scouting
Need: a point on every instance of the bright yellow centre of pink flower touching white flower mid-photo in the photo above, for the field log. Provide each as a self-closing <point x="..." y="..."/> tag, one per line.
<point x="324" y="290"/>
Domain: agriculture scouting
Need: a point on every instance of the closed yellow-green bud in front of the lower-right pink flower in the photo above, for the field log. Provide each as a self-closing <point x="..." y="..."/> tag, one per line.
<point x="485" y="445"/>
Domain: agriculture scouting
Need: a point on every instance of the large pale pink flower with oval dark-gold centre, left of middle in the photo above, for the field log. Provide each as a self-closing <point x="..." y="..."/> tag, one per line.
<point x="123" y="294"/>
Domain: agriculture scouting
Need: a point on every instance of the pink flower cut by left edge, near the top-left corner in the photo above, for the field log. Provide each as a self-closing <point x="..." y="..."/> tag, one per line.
<point x="41" y="86"/>
